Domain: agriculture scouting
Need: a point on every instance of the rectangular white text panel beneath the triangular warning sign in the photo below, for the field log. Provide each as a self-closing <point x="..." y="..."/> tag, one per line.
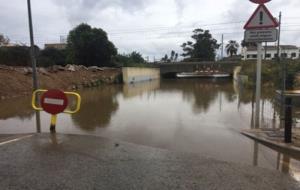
<point x="261" y="35"/>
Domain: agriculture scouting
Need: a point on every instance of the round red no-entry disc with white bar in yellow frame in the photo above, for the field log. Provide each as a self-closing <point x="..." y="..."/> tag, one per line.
<point x="54" y="101"/>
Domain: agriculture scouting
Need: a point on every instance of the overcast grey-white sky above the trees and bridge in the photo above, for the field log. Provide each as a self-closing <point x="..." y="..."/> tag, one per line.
<point x="152" y="27"/>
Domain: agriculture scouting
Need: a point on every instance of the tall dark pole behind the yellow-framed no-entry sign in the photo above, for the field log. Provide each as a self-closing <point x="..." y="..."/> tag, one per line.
<point x="33" y="62"/>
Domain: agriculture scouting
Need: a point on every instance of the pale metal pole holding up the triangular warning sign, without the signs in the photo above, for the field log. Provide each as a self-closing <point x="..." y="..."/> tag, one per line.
<point x="258" y="84"/>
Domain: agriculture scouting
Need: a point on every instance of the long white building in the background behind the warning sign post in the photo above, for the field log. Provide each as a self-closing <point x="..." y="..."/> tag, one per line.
<point x="270" y="52"/>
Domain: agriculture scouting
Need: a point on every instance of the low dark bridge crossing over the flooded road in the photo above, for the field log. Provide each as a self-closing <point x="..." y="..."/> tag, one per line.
<point x="178" y="67"/>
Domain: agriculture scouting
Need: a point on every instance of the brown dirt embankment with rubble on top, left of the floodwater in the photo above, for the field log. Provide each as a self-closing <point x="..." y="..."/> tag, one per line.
<point x="17" y="81"/>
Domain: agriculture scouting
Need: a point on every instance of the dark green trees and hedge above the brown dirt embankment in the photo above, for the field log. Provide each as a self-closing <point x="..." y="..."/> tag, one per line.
<point x="85" y="46"/>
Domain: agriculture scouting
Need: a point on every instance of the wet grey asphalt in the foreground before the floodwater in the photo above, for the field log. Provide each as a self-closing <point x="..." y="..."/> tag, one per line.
<point x="45" y="161"/>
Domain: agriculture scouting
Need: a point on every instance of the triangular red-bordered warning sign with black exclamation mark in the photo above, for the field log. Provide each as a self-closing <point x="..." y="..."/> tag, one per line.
<point x="261" y="18"/>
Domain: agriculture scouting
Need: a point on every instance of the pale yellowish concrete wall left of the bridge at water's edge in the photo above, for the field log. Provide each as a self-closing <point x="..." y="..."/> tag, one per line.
<point x="135" y="74"/>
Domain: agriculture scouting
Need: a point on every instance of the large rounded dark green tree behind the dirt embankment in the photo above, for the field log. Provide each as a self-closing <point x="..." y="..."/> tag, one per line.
<point x="90" y="47"/>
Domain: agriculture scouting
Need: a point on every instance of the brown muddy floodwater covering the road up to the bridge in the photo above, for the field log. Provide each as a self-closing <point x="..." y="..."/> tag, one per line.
<point x="200" y="116"/>
